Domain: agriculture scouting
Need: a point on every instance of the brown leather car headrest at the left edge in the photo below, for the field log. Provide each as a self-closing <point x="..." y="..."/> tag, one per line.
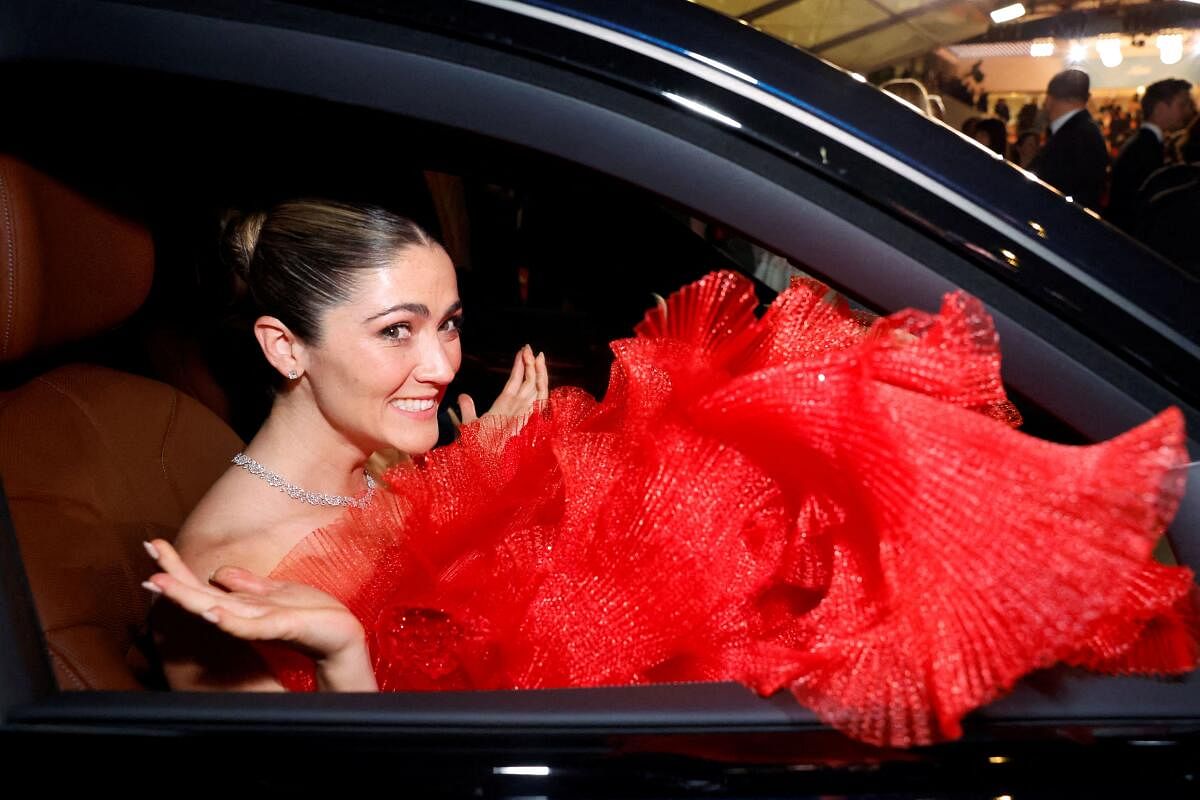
<point x="69" y="268"/>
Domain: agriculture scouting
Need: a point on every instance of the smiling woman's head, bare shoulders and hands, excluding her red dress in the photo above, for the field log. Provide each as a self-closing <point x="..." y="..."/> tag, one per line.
<point x="361" y="318"/>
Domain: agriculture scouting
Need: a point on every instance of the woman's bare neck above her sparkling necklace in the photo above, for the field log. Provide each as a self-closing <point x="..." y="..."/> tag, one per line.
<point x="298" y="443"/>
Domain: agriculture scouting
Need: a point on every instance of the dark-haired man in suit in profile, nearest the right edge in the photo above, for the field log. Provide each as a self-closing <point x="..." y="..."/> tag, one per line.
<point x="1166" y="107"/>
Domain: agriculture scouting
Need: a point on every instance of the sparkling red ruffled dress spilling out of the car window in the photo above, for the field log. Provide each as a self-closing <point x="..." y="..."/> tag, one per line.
<point x="801" y="502"/>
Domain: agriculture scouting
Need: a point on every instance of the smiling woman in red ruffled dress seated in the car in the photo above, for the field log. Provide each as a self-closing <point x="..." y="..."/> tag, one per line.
<point x="803" y="500"/>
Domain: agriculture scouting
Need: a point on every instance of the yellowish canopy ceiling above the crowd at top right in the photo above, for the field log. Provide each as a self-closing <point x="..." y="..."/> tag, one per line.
<point x="868" y="35"/>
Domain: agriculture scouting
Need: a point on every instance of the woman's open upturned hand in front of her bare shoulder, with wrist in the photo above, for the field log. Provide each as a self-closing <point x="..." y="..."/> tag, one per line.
<point x="260" y="610"/>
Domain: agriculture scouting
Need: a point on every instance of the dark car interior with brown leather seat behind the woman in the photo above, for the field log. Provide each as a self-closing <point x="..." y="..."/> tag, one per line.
<point x="130" y="376"/>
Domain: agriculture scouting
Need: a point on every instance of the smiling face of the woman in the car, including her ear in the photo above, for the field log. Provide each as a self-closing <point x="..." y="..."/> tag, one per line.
<point x="387" y="356"/>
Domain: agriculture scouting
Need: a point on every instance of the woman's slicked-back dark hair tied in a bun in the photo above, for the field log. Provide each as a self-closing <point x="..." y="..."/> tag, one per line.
<point x="303" y="257"/>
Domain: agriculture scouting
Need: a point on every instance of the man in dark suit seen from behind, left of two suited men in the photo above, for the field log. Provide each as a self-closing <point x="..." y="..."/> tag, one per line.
<point x="1075" y="159"/>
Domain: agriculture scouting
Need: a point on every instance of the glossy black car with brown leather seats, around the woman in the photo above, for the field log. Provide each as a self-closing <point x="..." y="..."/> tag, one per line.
<point x="575" y="157"/>
